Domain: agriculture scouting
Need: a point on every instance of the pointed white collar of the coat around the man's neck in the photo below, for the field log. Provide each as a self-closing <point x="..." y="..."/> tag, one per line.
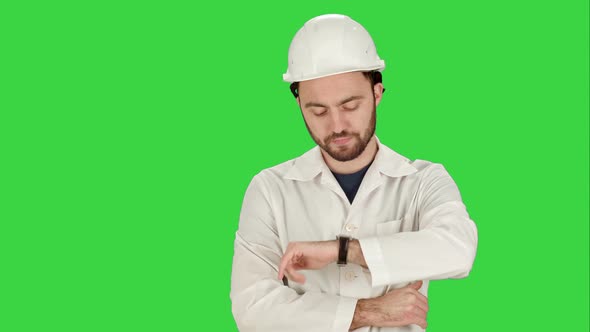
<point x="387" y="162"/>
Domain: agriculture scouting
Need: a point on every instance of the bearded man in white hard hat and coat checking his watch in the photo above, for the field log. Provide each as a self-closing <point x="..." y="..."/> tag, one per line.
<point x="348" y="235"/>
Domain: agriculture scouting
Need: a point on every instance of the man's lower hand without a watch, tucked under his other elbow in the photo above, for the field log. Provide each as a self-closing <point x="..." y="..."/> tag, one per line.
<point x="399" y="307"/>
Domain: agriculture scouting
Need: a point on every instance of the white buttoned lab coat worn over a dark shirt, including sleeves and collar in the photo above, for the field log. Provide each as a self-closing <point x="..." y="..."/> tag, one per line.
<point x="408" y="217"/>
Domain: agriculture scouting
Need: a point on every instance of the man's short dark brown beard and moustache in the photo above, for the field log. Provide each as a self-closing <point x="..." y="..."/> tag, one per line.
<point x="352" y="150"/>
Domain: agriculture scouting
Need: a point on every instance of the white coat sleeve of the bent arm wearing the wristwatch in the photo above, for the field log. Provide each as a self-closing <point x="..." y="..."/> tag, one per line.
<point x="443" y="246"/>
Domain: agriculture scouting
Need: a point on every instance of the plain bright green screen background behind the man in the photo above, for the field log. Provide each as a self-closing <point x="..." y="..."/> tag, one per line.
<point x="130" y="130"/>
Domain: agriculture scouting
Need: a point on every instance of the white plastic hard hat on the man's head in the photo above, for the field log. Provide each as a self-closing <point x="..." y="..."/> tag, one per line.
<point x="328" y="45"/>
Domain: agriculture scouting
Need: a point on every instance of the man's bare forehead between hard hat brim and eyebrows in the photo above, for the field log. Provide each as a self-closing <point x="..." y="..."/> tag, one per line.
<point x="335" y="87"/>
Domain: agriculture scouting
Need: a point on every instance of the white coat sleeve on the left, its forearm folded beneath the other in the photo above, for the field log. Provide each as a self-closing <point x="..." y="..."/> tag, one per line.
<point x="261" y="302"/>
